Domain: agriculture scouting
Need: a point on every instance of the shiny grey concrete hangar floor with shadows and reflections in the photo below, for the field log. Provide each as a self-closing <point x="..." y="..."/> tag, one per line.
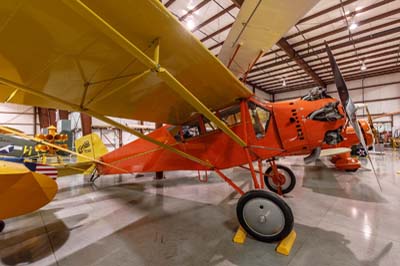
<point x="340" y="219"/>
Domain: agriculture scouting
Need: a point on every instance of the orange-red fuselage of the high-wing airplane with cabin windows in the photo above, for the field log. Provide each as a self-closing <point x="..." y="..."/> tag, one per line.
<point x="269" y="129"/>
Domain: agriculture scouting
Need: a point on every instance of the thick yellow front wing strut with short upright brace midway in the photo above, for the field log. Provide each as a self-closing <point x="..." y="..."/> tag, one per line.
<point x="152" y="64"/>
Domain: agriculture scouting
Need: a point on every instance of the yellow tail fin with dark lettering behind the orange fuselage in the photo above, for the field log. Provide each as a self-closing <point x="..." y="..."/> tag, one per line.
<point x="90" y="146"/>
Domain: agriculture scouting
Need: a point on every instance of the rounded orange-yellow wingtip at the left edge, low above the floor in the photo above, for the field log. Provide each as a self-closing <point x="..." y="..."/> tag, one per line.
<point x="22" y="191"/>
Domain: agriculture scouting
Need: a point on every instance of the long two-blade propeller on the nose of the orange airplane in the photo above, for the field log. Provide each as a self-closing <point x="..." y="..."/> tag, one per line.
<point x="348" y="105"/>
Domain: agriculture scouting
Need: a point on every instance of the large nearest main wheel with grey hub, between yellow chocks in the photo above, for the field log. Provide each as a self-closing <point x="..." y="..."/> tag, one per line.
<point x="264" y="215"/>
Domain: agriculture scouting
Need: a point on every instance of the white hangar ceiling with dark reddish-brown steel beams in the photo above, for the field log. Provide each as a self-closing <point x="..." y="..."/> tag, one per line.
<point x="363" y="34"/>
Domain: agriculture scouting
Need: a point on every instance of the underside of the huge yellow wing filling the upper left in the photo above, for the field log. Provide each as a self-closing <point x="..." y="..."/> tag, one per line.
<point x="49" y="47"/>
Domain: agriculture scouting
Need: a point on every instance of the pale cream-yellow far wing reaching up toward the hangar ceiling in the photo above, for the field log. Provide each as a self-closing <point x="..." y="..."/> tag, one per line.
<point x="258" y="26"/>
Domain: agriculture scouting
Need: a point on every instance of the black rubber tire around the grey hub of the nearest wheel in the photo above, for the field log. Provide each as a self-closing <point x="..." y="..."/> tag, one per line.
<point x="279" y="202"/>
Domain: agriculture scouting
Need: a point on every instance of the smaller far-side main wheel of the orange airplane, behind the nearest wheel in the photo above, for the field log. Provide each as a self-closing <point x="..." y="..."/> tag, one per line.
<point x="285" y="174"/>
